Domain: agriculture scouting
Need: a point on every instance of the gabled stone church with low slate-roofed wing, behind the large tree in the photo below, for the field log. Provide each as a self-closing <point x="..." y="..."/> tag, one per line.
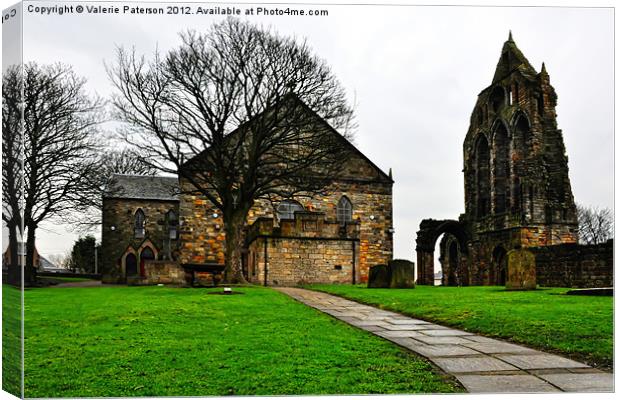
<point x="154" y="232"/>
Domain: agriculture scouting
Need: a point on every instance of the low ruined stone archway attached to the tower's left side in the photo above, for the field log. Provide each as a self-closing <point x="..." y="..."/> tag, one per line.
<point x="430" y="231"/>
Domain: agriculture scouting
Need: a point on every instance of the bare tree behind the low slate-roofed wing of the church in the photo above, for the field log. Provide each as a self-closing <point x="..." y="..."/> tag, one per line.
<point x="99" y="179"/>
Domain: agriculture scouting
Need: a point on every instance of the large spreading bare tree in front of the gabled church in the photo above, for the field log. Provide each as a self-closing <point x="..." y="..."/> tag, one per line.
<point x="234" y="113"/>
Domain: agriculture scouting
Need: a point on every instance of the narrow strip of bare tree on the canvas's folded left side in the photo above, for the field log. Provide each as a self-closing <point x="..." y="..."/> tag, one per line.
<point x="12" y="157"/>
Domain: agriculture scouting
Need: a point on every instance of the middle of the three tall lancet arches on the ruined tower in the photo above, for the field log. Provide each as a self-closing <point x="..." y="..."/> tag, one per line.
<point x="501" y="168"/>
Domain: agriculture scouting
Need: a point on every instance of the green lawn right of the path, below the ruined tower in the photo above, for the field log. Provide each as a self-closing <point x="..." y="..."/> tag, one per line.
<point x="578" y="326"/>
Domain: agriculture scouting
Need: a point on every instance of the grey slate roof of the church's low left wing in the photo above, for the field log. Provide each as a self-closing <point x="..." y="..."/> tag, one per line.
<point x="144" y="187"/>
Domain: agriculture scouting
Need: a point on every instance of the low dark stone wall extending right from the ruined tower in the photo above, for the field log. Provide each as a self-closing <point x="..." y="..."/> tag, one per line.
<point x="573" y="265"/>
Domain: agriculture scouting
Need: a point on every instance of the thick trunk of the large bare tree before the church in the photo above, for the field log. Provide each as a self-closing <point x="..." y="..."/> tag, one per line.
<point x="233" y="226"/>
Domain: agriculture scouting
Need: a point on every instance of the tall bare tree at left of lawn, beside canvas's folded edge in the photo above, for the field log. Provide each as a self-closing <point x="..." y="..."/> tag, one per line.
<point x="59" y="123"/>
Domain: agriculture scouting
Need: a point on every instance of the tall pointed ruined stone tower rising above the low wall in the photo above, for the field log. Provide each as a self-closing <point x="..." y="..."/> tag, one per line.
<point x="515" y="161"/>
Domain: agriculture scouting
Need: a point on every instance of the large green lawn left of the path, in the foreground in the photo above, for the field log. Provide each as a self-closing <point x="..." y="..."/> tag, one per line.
<point x="159" y="341"/>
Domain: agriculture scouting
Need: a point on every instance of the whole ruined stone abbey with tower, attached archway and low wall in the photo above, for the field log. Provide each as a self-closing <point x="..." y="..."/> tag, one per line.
<point x="517" y="191"/>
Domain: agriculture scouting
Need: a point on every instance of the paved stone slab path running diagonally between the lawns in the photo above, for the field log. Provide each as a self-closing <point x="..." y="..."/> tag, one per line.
<point x="481" y="364"/>
